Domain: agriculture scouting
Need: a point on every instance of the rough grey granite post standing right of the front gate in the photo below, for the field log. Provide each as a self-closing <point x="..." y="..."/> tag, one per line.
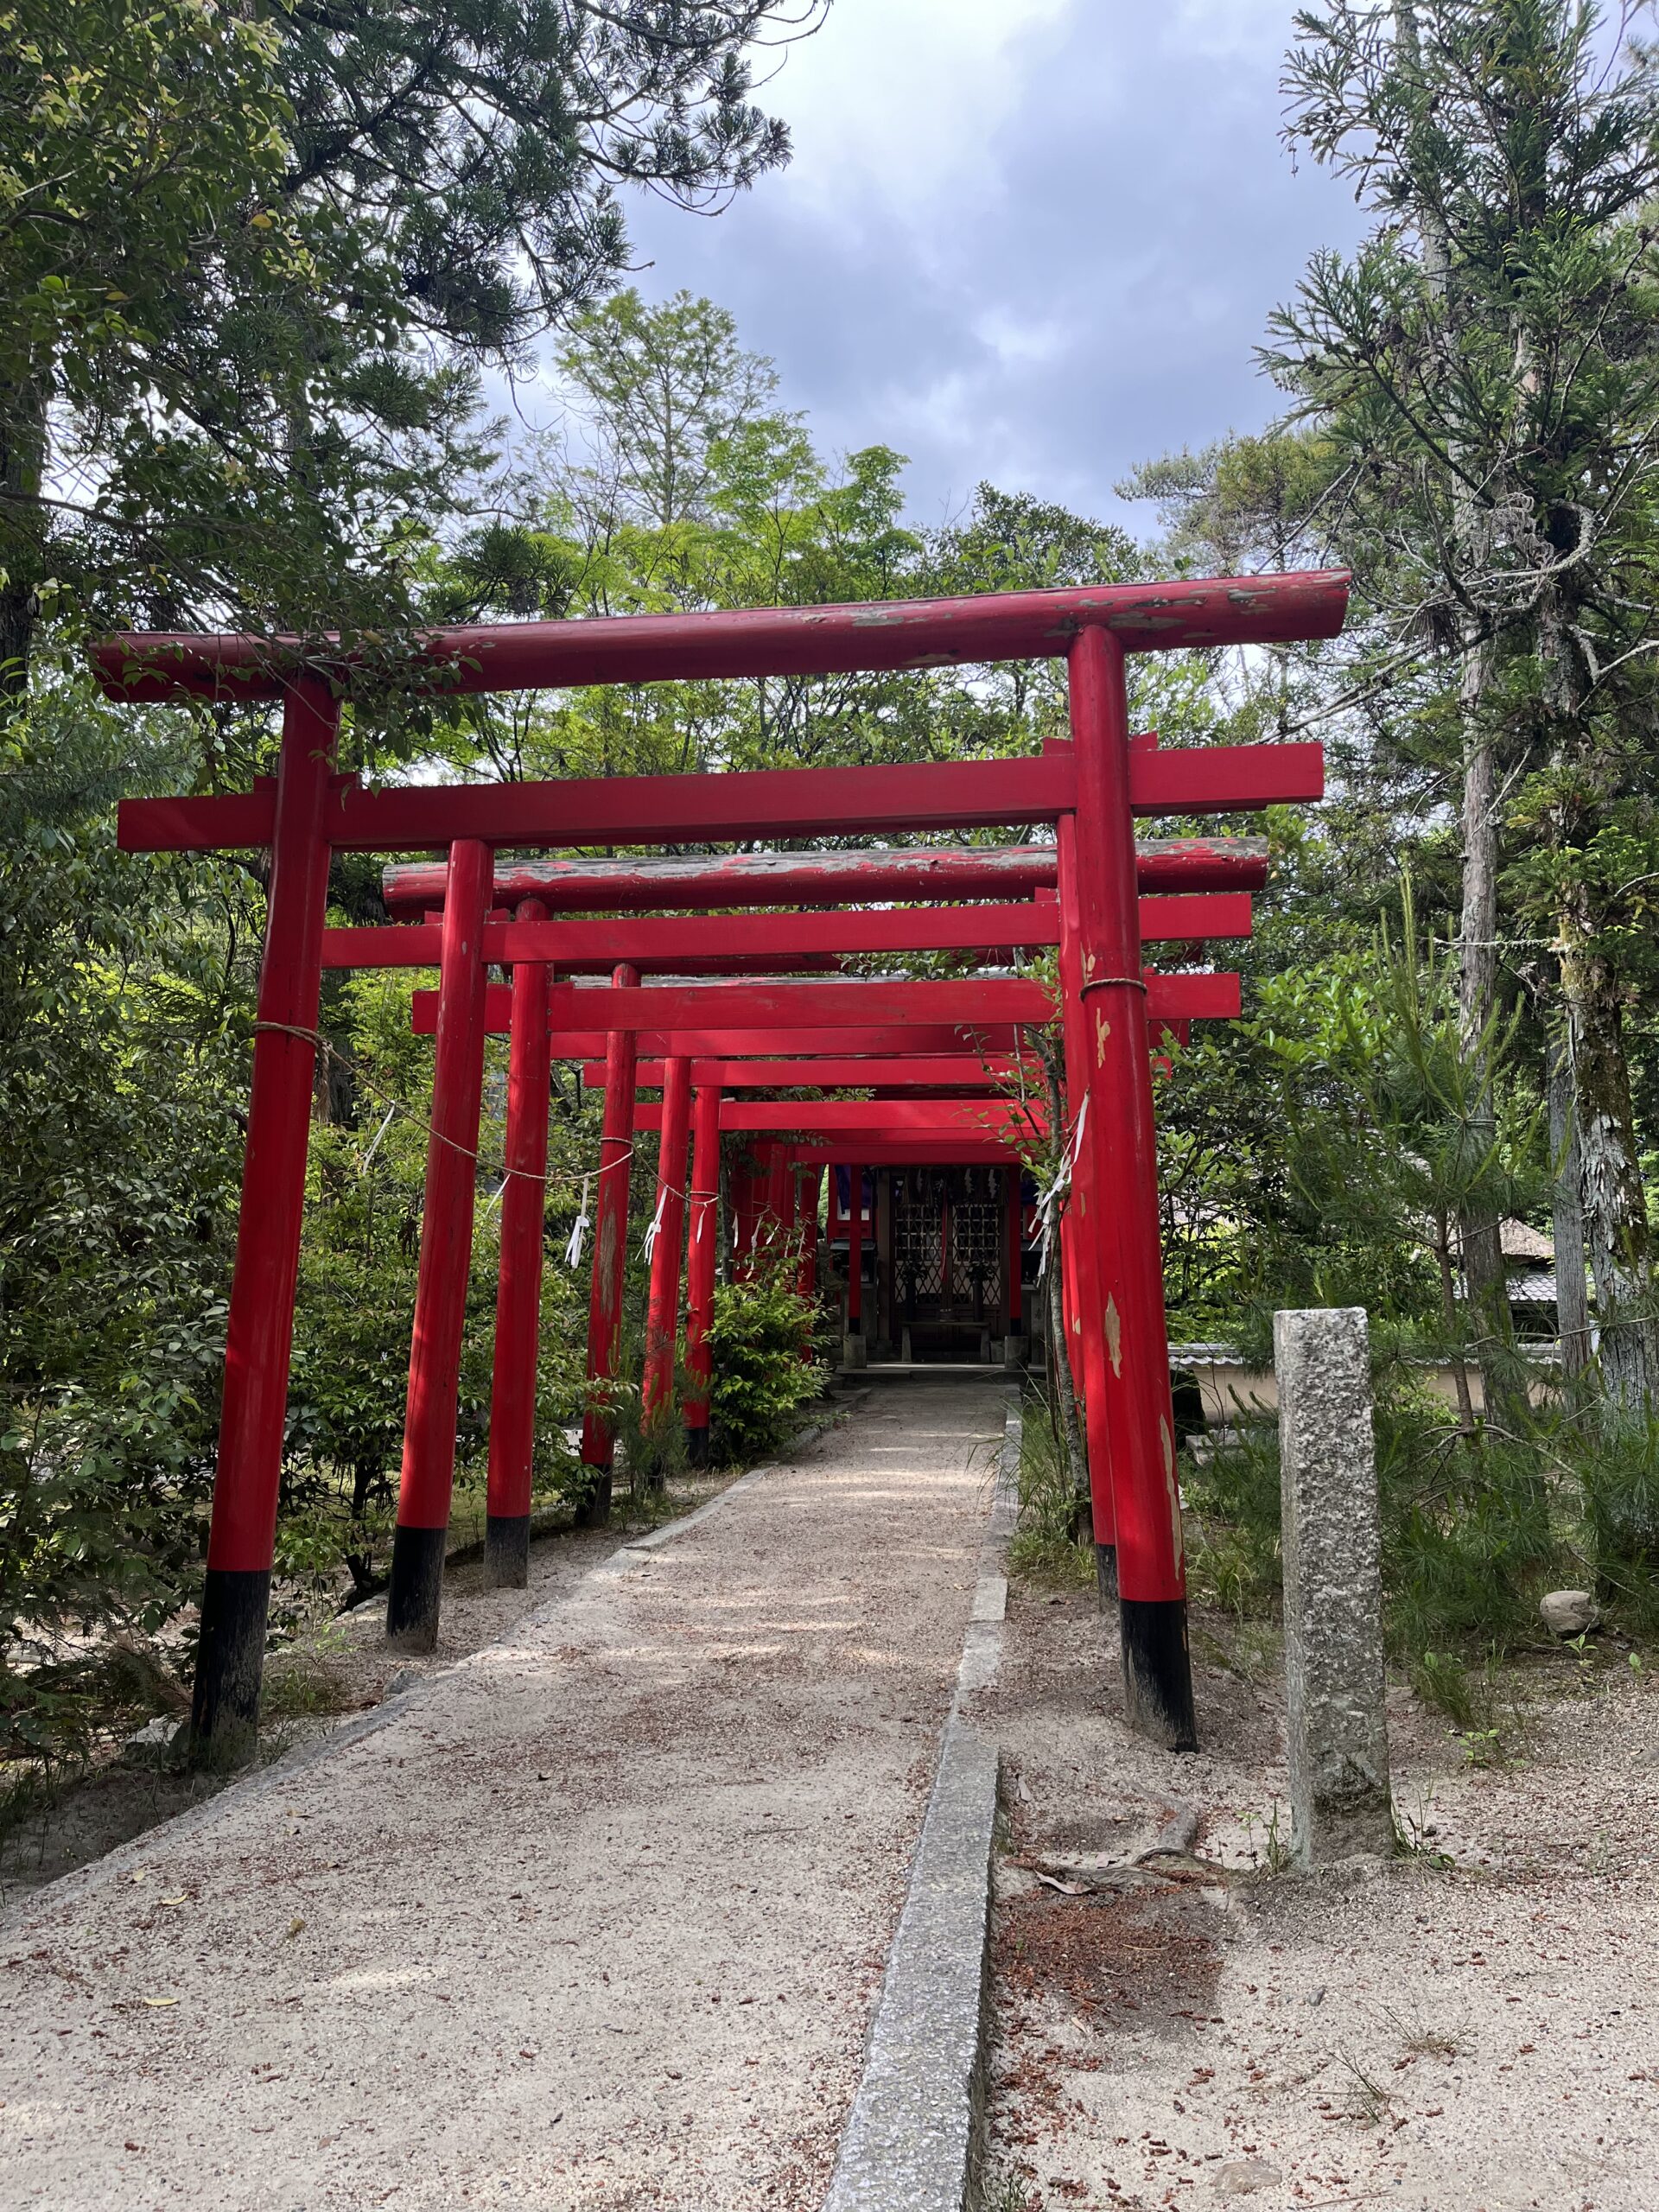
<point x="1339" y="1740"/>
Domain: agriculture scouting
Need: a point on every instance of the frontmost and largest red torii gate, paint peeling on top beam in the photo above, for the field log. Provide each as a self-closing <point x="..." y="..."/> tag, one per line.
<point x="1096" y="789"/>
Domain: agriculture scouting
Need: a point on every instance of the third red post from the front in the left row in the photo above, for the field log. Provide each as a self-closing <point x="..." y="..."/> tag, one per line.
<point x="519" y="1300"/>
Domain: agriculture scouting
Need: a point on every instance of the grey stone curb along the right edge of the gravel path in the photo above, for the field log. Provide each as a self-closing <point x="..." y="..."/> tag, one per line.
<point x="917" y="2129"/>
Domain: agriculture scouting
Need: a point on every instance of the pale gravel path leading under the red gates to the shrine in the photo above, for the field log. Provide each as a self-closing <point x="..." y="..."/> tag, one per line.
<point x="596" y="1919"/>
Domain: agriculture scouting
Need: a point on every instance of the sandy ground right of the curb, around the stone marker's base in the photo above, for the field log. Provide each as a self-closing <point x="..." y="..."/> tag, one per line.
<point x="1472" y="2027"/>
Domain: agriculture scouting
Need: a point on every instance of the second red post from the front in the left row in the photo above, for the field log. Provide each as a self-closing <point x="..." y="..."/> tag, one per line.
<point x="446" y="1258"/>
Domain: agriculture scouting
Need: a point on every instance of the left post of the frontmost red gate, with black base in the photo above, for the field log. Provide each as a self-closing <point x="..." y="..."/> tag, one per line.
<point x="260" y="1337"/>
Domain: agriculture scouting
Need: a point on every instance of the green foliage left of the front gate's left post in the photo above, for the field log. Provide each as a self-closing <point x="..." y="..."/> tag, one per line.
<point x="114" y="1202"/>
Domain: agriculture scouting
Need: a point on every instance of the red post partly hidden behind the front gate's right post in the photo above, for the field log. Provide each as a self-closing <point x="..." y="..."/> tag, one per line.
<point x="1081" y="1240"/>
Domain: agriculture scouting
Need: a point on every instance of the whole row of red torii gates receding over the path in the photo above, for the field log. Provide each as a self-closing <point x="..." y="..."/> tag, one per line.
<point x="735" y="1001"/>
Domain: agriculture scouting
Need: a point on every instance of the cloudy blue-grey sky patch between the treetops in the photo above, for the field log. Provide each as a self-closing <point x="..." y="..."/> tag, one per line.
<point x="1021" y="240"/>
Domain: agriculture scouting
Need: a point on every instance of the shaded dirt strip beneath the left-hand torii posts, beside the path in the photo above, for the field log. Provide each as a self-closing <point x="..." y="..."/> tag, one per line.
<point x="333" y="1671"/>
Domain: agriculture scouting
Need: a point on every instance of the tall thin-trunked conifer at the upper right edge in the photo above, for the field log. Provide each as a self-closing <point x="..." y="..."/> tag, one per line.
<point x="1488" y="379"/>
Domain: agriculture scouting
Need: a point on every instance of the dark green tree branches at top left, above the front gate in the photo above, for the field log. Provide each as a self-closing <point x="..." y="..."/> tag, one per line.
<point x="255" y="260"/>
